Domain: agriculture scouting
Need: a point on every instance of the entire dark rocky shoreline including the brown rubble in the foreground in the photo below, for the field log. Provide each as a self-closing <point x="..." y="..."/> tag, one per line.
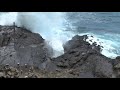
<point x="24" y="54"/>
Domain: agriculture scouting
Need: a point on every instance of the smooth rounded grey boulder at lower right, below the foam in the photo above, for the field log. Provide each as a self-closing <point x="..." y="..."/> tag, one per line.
<point x="101" y="66"/>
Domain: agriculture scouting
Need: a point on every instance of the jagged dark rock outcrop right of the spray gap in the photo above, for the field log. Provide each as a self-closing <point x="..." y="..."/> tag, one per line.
<point x="81" y="56"/>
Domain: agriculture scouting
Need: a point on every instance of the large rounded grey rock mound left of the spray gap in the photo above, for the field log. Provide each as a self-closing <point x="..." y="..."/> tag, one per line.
<point x="18" y="45"/>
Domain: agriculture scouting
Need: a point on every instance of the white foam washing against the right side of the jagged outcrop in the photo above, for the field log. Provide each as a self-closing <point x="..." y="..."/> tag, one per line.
<point x="108" y="45"/>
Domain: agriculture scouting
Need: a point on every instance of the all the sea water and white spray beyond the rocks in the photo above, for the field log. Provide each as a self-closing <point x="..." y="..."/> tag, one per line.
<point x="59" y="27"/>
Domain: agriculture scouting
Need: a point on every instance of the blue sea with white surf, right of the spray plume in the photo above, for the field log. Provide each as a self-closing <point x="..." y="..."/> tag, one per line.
<point x="103" y="25"/>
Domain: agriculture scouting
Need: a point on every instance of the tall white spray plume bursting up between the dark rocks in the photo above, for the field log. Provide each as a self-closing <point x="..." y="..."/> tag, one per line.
<point x="49" y="25"/>
